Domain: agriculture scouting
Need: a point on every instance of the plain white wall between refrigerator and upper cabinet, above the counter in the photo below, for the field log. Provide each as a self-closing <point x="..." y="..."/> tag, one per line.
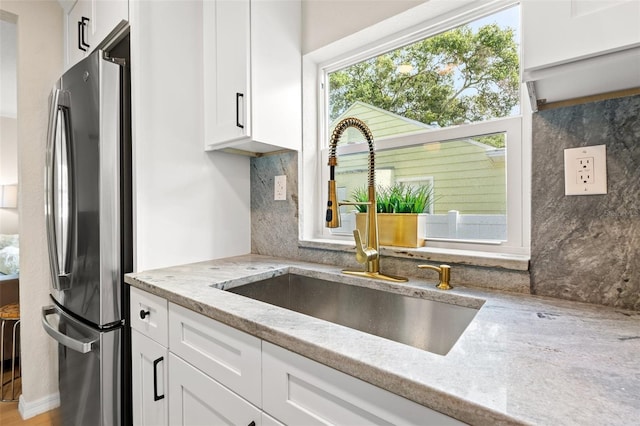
<point x="190" y="205"/>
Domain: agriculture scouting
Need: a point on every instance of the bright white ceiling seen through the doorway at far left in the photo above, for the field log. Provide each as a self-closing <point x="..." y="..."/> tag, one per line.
<point x="8" y="71"/>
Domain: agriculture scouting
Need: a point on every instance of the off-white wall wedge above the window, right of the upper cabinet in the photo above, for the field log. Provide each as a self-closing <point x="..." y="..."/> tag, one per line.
<point x="325" y="21"/>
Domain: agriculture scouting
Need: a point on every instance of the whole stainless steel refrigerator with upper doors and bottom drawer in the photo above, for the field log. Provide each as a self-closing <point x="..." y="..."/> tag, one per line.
<point x="88" y="216"/>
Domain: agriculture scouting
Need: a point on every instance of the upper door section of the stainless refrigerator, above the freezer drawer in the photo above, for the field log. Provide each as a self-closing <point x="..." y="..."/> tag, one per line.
<point x="83" y="182"/>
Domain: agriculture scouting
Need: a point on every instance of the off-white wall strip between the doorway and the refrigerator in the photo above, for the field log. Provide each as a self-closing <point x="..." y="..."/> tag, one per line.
<point x="39" y="66"/>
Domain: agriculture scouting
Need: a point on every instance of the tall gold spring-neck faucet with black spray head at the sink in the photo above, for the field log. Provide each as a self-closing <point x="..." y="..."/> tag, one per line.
<point x="369" y="252"/>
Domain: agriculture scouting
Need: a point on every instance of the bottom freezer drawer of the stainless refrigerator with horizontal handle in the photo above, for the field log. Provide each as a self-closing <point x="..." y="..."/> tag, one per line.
<point x="90" y="378"/>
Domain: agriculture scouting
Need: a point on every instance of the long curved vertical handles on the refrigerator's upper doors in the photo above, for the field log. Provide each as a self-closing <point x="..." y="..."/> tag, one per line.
<point x="59" y="189"/>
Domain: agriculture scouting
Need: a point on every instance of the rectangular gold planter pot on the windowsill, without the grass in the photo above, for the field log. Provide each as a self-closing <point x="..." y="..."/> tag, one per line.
<point x="397" y="229"/>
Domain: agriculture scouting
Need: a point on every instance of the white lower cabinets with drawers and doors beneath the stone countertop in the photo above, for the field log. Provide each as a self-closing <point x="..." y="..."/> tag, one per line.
<point x="214" y="374"/>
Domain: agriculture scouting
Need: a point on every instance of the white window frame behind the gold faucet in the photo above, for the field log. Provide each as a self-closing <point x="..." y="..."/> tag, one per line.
<point x="389" y="35"/>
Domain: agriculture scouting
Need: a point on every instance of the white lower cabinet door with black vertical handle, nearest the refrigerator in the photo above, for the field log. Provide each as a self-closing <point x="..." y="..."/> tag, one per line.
<point x="149" y="373"/>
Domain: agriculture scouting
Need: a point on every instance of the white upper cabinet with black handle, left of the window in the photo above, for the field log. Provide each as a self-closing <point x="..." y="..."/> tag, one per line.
<point x="252" y="75"/>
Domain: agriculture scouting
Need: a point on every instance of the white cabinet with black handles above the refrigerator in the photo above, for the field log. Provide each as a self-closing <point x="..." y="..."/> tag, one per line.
<point x="89" y="23"/>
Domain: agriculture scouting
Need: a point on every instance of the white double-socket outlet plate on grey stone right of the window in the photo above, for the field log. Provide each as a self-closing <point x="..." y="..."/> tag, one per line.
<point x="585" y="170"/>
